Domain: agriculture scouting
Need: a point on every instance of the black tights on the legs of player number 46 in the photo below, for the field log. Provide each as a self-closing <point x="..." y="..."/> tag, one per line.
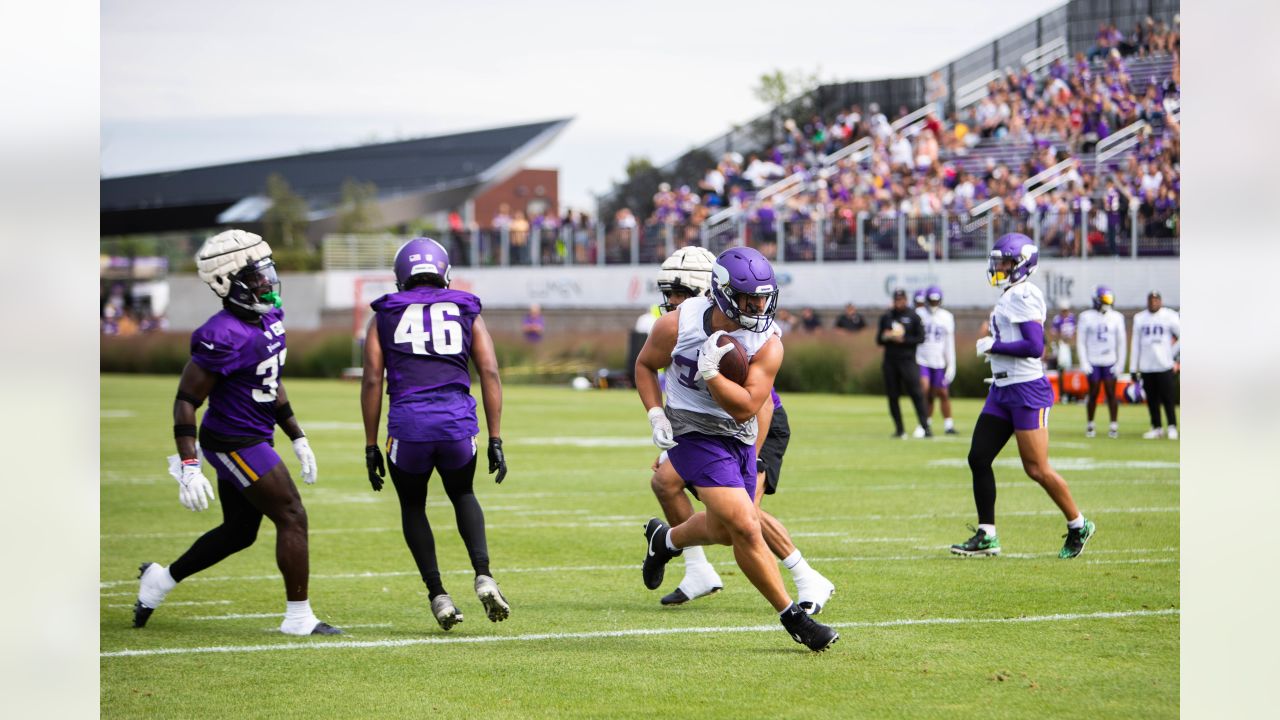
<point x="412" y="490"/>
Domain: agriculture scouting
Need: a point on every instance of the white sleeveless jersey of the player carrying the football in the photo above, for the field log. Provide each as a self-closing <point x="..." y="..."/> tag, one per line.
<point x="691" y="405"/>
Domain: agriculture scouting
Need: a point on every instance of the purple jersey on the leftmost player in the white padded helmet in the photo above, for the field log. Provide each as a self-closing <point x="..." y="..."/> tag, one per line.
<point x="249" y="357"/>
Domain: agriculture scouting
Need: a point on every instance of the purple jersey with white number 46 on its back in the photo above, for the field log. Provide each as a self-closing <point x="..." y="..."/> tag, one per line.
<point x="426" y="335"/>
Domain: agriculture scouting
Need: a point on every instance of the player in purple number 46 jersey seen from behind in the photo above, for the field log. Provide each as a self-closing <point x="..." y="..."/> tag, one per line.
<point x="424" y="336"/>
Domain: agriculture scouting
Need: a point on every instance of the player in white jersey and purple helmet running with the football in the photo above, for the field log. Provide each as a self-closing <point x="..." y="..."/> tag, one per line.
<point x="708" y="427"/>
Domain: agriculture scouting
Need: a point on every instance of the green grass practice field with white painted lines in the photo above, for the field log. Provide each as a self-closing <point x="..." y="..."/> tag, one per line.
<point x="924" y="635"/>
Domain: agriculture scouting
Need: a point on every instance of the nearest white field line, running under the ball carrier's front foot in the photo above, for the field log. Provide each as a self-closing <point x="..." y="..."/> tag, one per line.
<point x="638" y="632"/>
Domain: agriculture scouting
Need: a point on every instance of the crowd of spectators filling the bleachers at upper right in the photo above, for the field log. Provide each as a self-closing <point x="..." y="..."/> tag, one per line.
<point x="1060" y="113"/>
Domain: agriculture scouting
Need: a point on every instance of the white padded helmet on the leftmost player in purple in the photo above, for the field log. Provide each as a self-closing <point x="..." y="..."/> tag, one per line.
<point x="237" y="267"/>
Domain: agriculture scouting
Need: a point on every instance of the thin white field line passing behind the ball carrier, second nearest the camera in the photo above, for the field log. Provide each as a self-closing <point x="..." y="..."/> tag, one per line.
<point x="638" y="521"/>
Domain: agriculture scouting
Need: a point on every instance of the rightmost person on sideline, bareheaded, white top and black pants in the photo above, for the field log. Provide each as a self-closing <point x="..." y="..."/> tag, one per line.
<point x="1154" y="353"/>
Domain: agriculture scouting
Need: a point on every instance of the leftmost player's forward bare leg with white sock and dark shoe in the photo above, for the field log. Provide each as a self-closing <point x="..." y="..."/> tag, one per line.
<point x="277" y="498"/>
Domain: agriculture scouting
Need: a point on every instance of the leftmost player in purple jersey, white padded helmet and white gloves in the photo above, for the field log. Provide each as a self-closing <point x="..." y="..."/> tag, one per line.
<point x="236" y="362"/>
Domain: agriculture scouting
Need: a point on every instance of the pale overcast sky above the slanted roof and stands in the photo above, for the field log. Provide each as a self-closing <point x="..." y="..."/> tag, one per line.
<point x="190" y="84"/>
